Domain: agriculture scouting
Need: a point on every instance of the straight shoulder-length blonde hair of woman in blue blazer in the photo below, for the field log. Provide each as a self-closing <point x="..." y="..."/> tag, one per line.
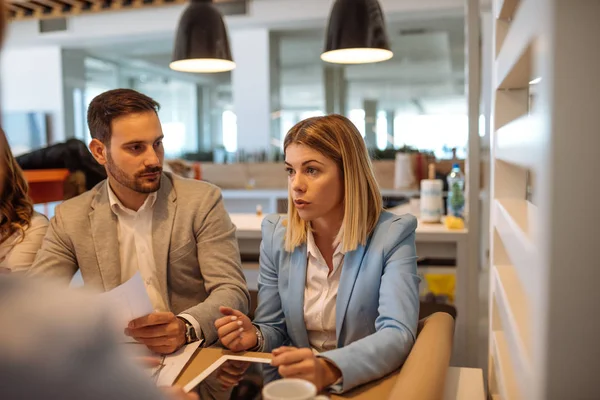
<point x="337" y="138"/>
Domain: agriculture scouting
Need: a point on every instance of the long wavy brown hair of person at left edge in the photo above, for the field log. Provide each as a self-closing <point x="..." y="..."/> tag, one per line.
<point x="16" y="208"/>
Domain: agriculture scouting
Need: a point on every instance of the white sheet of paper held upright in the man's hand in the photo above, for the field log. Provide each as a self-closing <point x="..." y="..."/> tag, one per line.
<point x="127" y="302"/>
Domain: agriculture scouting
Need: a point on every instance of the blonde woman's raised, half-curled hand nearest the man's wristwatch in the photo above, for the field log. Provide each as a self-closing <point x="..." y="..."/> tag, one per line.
<point x="235" y="330"/>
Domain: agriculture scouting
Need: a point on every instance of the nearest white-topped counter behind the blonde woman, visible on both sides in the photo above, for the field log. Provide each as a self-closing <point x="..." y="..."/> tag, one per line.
<point x="433" y="241"/>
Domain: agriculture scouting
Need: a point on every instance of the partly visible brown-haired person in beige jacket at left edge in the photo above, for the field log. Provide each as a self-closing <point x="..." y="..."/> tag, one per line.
<point x="21" y="229"/>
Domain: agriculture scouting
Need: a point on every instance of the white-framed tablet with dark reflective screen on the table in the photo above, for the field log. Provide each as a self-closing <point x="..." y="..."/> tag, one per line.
<point x="233" y="378"/>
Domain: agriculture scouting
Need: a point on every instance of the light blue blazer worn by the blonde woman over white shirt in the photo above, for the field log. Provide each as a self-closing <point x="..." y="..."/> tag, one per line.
<point x="377" y="304"/>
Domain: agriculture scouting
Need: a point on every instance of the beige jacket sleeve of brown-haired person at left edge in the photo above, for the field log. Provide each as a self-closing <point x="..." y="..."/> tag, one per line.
<point x="22" y="254"/>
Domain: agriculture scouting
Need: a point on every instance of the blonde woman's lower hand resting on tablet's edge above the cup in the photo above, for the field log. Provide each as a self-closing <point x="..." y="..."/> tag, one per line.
<point x="302" y="363"/>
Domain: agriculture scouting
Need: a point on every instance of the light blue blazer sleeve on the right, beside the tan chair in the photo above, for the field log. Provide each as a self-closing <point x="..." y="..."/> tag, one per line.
<point x="385" y="350"/>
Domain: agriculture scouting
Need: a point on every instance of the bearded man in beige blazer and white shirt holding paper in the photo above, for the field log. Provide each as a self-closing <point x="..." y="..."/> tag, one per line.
<point x="175" y="232"/>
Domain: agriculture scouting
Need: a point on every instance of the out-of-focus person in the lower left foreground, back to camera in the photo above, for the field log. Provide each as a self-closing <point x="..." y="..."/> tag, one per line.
<point x="56" y="344"/>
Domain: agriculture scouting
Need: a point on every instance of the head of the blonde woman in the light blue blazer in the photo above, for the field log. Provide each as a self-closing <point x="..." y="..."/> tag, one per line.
<point x="330" y="181"/>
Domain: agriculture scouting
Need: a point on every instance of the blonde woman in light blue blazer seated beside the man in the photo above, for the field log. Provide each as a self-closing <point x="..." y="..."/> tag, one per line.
<point x="338" y="296"/>
